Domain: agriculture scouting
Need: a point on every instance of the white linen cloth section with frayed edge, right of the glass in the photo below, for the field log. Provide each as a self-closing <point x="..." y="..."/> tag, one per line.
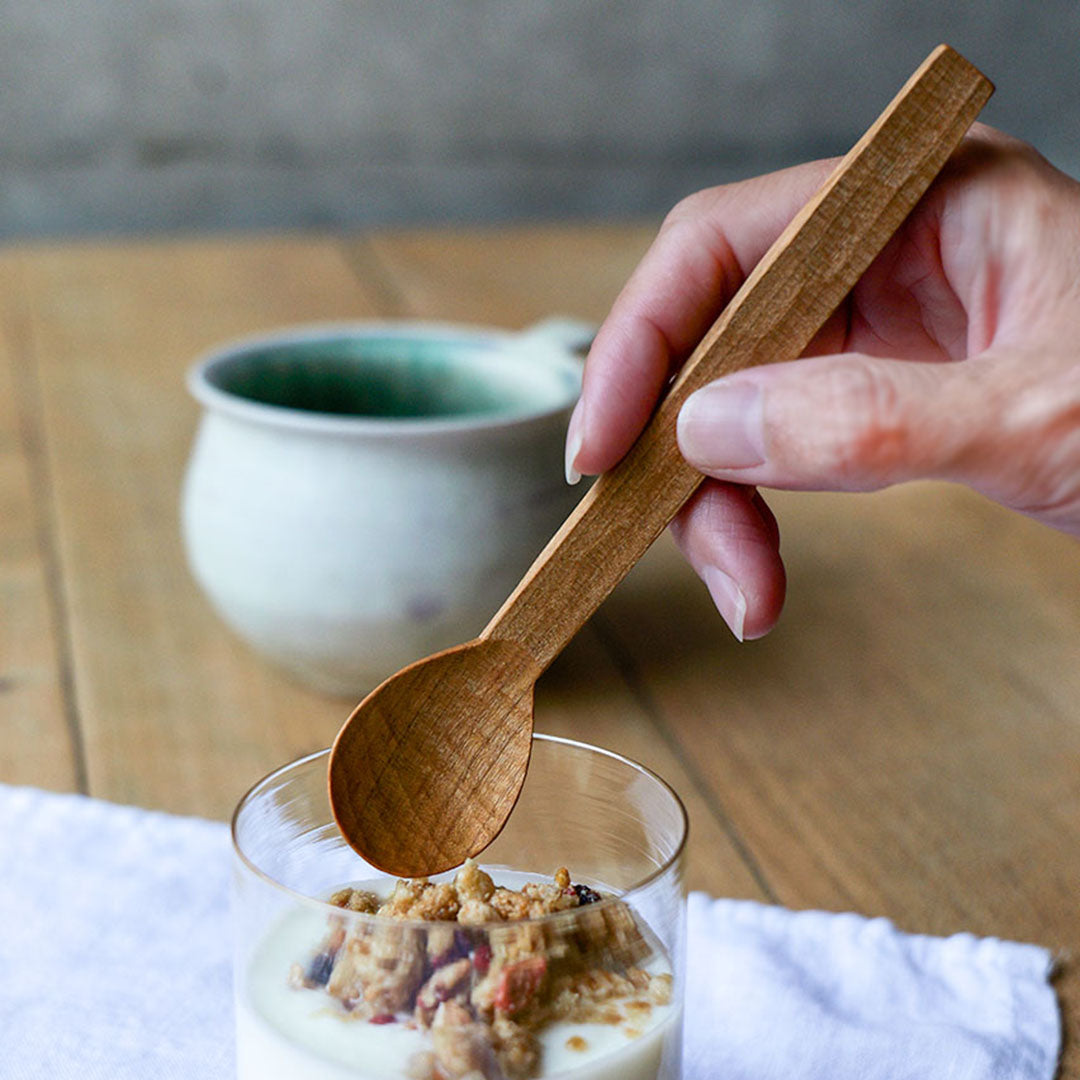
<point x="818" y="996"/>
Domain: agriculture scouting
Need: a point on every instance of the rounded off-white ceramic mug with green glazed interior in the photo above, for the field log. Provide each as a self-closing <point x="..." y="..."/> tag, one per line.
<point x="361" y="496"/>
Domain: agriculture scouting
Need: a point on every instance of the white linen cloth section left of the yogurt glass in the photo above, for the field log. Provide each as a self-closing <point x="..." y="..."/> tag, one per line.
<point x="115" y="942"/>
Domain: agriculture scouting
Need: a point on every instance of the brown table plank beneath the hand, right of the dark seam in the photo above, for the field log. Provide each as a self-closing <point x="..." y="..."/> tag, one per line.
<point x="908" y="741"/>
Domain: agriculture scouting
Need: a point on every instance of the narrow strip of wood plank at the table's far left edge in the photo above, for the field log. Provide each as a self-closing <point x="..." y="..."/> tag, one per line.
<point x="39" y="746"/>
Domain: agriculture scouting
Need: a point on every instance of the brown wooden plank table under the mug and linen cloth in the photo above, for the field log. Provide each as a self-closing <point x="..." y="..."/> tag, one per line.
<point x="907" y="744"/>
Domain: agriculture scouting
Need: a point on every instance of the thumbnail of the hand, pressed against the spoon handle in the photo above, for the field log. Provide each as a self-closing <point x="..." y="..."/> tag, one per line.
<point x="723" y="427"/>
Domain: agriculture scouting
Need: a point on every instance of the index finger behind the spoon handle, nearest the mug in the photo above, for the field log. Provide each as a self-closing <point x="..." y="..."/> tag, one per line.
<point x="704" y="252"/>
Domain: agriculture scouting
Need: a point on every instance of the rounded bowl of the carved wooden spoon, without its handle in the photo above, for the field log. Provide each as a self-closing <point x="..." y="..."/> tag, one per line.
<point x="423" y="733"/>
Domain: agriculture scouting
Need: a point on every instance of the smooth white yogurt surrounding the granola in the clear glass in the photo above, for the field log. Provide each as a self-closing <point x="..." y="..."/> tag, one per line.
<point x="296" y="1034"/>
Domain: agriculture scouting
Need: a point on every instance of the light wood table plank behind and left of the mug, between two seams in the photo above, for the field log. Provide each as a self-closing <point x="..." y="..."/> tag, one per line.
<point x="177" y="713"/>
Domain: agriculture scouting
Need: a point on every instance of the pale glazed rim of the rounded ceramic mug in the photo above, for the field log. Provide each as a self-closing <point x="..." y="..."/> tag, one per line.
<point x="212" y="398"/>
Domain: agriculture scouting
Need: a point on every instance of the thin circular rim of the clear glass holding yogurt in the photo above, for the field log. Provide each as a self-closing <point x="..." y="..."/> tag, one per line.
<point x="555" y="916"/>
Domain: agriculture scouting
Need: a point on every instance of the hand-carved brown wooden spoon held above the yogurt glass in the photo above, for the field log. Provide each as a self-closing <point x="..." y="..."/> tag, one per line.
<point x="427" y="769"/>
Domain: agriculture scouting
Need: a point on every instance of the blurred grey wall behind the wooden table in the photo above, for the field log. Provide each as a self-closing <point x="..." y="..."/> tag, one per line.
<point x="170" y="115"/>
